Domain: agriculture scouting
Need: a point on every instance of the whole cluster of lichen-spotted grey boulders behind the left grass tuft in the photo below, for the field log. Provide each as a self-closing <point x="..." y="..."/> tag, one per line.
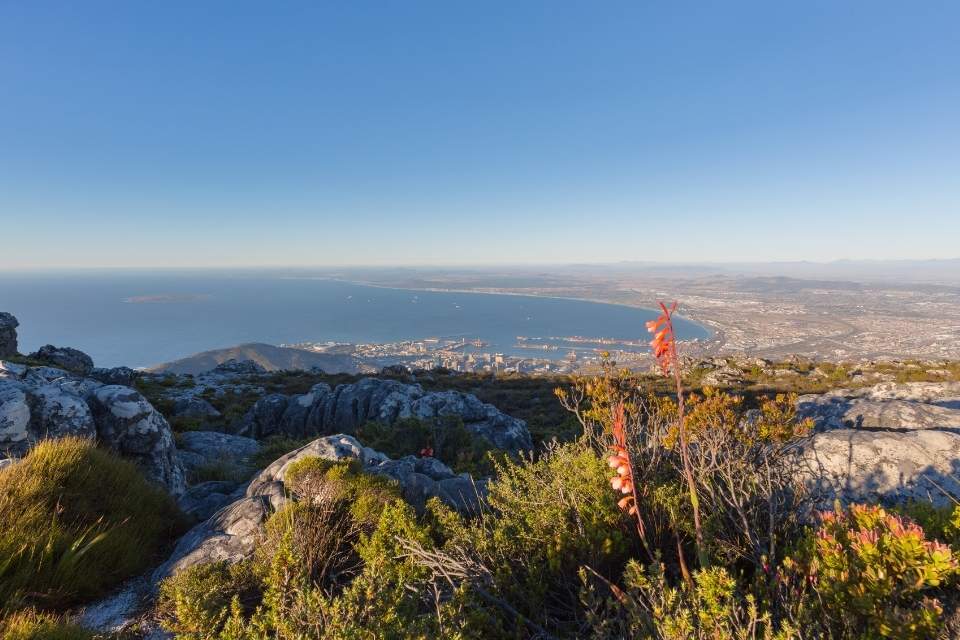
<point x="45" y="402"/>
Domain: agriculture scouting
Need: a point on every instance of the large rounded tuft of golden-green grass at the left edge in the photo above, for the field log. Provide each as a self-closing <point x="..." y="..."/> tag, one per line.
<point x="76" y="521"/>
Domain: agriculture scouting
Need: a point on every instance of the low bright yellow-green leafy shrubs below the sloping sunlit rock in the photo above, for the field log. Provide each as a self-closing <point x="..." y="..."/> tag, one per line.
<point x="213" y="601"/>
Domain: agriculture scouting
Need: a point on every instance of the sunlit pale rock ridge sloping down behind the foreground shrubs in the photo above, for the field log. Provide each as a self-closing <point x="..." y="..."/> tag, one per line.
<point x="232" y="533"/>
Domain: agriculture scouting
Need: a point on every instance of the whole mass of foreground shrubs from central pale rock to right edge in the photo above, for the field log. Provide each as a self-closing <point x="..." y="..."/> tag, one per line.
<point x="556" y="554"/>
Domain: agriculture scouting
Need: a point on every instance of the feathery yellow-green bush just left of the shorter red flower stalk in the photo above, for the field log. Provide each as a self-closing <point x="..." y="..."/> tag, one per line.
<point x="547" y="518"/>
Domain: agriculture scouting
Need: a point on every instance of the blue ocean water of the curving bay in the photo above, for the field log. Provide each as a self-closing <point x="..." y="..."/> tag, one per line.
<point x="140" y="319"/>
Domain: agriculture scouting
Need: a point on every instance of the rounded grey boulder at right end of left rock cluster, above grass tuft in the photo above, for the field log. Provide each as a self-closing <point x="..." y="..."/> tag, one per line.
<point x="128" y="423"/>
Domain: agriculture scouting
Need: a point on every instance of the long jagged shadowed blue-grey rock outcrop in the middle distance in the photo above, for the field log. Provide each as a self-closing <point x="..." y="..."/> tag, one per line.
<point x="344" y="409"/>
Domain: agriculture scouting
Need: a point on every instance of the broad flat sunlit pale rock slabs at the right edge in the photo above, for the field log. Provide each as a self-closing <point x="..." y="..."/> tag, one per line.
<point x="890" y="442"/>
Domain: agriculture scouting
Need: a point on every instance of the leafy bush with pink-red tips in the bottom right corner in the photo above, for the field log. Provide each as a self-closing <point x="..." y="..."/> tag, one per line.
<point x="876" y="573"/>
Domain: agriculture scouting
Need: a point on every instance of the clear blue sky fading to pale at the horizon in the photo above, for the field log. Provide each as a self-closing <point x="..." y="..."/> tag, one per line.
<point x="320" y="133"/>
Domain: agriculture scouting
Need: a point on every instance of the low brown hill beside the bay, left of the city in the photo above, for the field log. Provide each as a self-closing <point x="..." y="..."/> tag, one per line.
<point x="268" y="356"/>
